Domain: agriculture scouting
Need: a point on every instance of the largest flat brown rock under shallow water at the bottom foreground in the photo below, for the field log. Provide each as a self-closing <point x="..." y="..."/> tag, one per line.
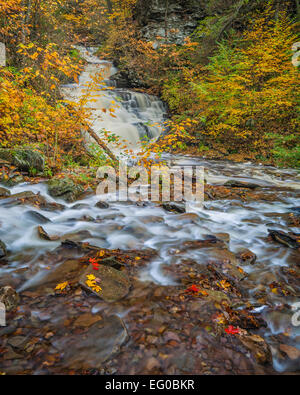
<point x="100" y="342"/>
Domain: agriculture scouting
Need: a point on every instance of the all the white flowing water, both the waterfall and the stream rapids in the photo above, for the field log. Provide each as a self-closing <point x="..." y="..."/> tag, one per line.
<point x="128" y="226"/>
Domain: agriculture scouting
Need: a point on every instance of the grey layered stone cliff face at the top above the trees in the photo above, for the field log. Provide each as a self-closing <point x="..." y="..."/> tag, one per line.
<point x="172" y="19"/>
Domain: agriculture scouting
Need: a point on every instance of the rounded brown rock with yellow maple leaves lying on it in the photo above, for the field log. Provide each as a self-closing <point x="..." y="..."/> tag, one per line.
<point x="115" y="284"/>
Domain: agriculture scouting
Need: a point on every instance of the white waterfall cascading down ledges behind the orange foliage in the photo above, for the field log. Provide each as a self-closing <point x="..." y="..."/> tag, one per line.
<point x="136" y="116"/>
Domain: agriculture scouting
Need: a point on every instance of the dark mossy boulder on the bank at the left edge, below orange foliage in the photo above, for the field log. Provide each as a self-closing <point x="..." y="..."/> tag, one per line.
<point x="24" y="159"/>
